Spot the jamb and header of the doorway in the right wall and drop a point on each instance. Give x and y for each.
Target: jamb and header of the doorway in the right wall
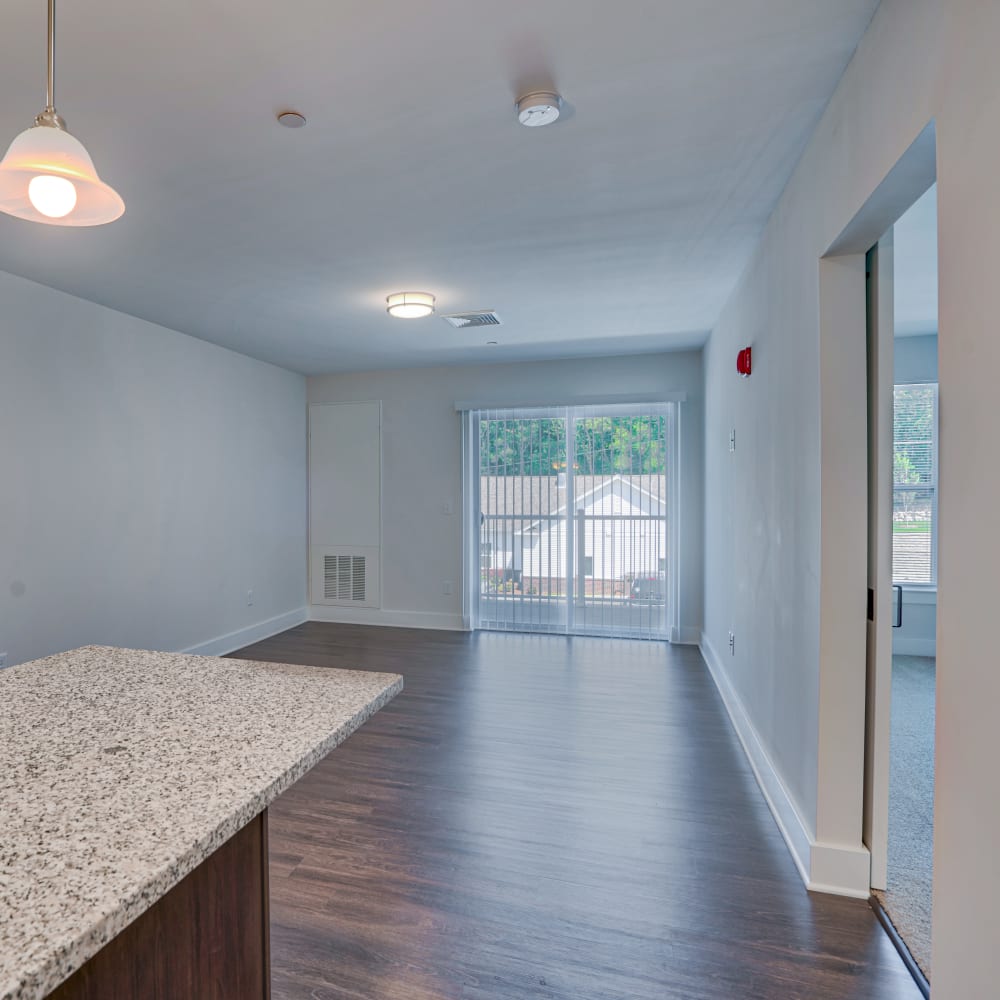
(839, 860)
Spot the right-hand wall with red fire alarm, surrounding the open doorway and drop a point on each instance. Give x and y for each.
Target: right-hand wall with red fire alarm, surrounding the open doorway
(920, 60)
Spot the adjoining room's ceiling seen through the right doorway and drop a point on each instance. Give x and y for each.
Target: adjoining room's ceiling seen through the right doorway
(915, 268)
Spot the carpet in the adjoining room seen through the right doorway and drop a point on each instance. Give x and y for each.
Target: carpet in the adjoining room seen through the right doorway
(907, 900)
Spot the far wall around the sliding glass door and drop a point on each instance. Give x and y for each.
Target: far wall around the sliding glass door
(422, 464)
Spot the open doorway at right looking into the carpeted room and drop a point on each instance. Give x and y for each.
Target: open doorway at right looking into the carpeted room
(903, 888)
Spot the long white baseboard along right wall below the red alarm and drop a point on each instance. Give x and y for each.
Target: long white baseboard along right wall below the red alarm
(793, 828)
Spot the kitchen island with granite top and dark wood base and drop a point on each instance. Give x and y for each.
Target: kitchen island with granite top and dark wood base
(133, 828)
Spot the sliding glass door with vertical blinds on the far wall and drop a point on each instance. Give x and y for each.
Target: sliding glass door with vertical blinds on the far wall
(568, 531)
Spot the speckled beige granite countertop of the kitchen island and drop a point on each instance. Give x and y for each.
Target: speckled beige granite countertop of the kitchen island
(122, 770)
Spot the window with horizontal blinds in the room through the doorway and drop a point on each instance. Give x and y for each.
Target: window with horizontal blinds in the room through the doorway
(914, 484)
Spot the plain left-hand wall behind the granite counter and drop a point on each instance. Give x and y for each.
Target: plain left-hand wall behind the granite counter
(149, 480)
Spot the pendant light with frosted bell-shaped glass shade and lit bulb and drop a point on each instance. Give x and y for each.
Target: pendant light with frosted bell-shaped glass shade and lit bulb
(48, 176)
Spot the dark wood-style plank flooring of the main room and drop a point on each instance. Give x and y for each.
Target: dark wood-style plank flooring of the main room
(545, 817)
